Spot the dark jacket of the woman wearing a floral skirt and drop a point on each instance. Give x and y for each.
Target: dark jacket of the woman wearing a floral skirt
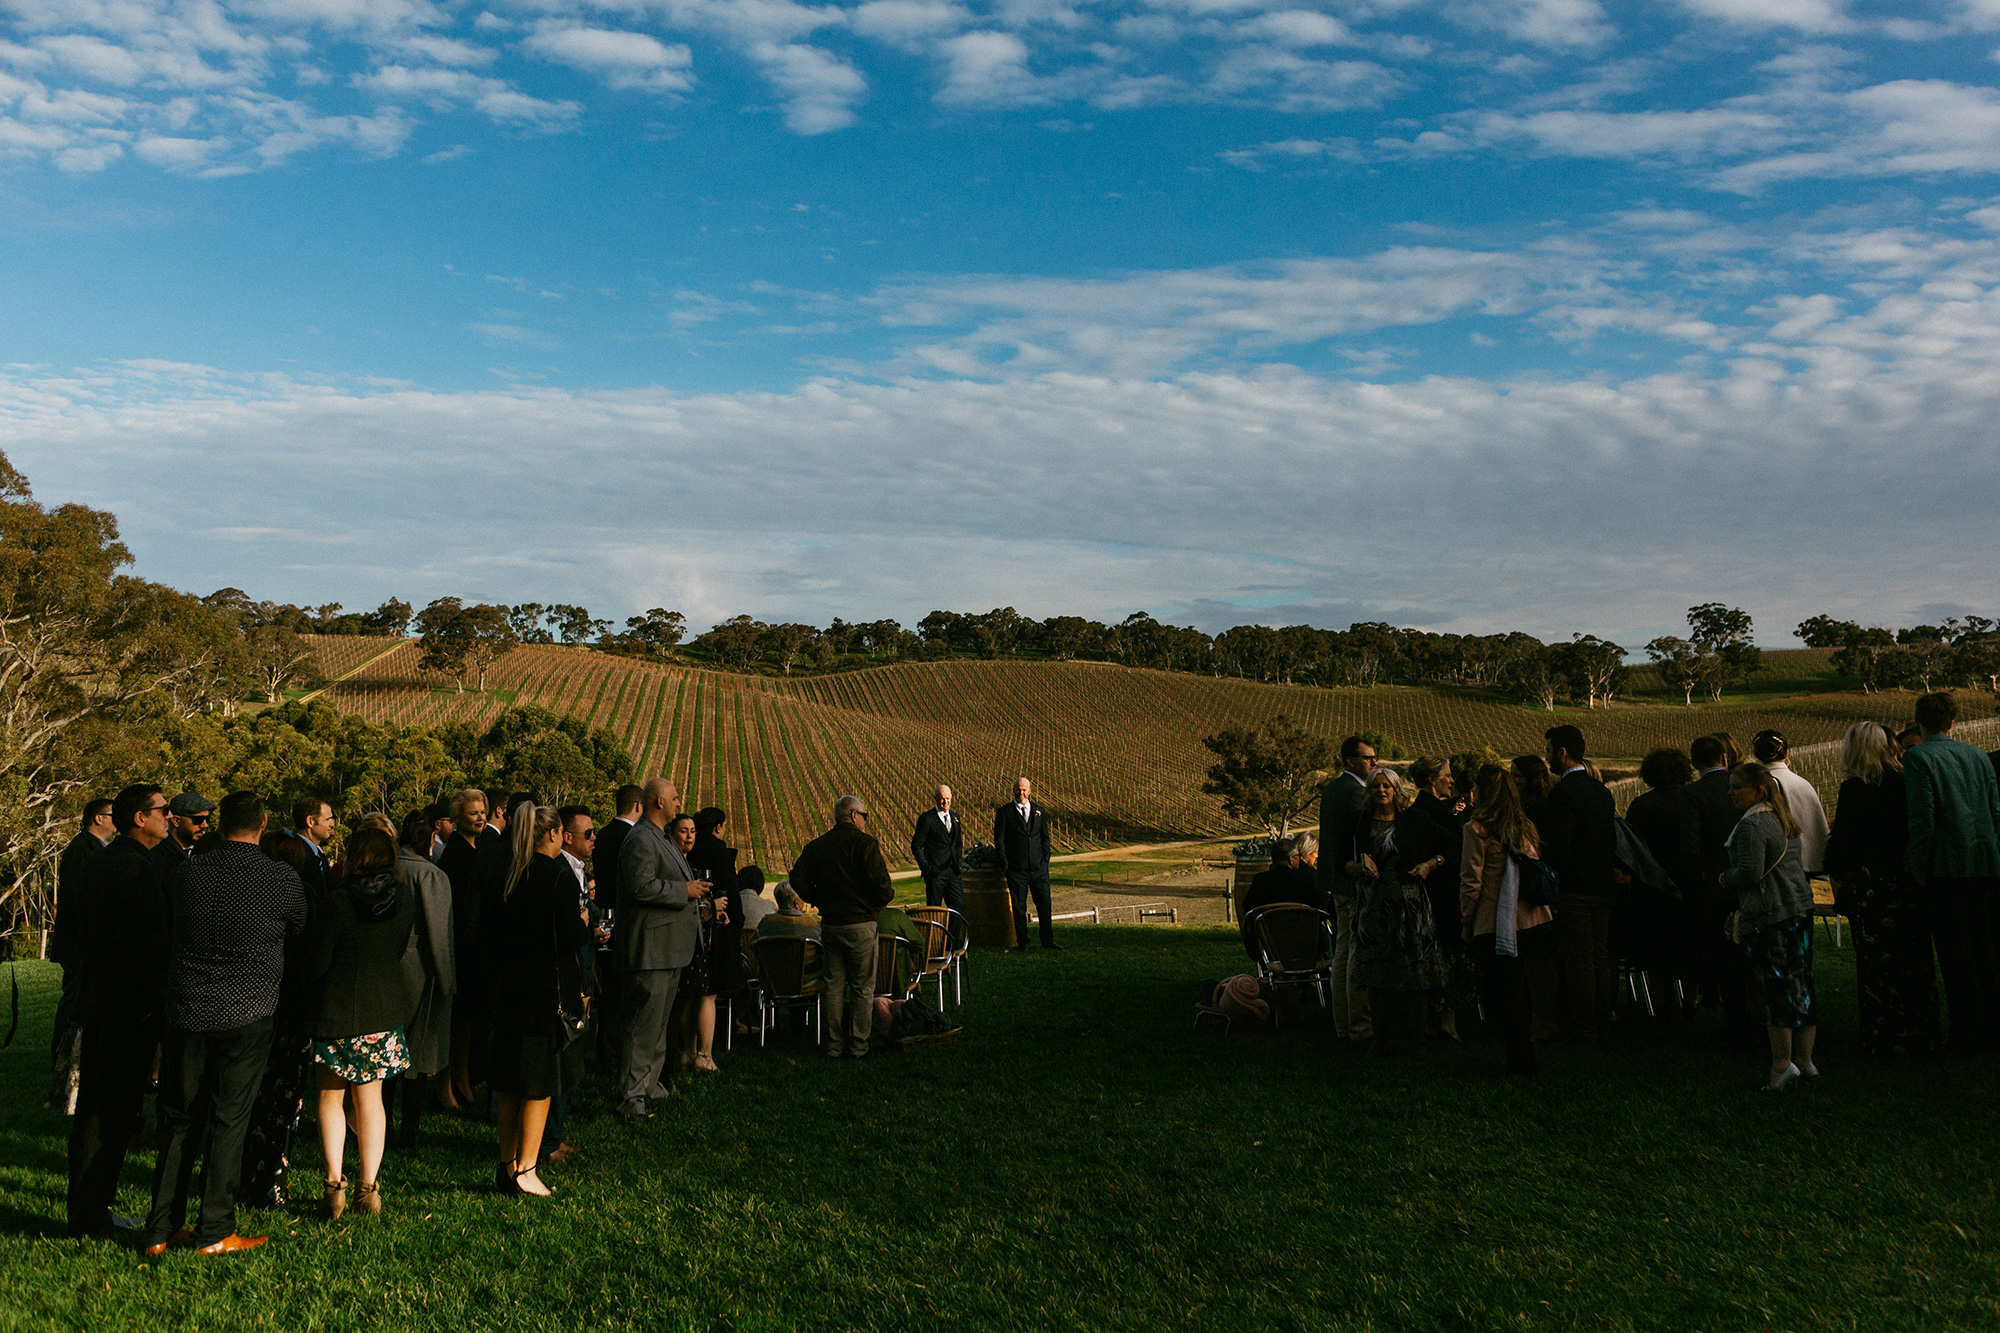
(371, 972)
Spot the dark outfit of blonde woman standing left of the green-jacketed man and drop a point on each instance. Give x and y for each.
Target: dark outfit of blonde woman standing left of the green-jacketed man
(1893, 962)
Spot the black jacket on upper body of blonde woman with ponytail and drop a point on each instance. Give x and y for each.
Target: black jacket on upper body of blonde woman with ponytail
(539, 938)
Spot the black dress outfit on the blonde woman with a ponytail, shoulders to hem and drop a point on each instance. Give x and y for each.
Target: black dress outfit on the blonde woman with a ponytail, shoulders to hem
(537, 936)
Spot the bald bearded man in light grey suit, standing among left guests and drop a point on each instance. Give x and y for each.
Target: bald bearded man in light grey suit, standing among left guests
(653, 940)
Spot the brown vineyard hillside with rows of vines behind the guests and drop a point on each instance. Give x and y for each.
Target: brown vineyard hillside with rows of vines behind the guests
(1117, 754)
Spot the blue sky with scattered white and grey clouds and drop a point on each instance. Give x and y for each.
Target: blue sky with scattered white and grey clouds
(1541, 313)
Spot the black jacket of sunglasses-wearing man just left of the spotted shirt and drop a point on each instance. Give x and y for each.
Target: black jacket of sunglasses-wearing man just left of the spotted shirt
(127, 938)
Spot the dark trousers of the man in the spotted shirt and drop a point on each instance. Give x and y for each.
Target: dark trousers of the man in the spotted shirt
(209, 1084)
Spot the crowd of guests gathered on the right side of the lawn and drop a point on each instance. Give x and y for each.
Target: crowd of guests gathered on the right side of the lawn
(1523, 890)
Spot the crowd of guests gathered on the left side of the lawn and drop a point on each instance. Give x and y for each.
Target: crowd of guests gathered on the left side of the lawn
(241, 972)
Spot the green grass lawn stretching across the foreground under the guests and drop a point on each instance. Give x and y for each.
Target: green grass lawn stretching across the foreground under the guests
(1081, 1160)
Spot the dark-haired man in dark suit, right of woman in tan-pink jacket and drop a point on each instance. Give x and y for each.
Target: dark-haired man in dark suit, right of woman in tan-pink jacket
(1581, 842)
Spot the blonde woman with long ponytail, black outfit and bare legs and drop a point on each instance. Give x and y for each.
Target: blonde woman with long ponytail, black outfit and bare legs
(537, 996)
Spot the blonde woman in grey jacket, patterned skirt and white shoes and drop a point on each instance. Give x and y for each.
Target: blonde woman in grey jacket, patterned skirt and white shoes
(1773, 922)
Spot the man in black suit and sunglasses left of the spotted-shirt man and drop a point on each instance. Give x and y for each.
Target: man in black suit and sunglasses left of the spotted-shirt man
(123, 946)
